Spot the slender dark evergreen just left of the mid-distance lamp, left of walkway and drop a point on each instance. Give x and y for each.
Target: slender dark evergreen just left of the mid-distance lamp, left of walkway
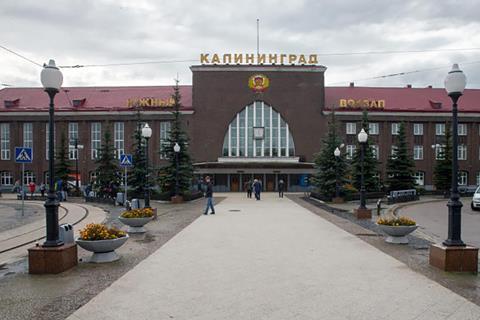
(136, 177)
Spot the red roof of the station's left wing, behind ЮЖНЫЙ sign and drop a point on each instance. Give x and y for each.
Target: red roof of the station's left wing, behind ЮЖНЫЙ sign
(96, 98)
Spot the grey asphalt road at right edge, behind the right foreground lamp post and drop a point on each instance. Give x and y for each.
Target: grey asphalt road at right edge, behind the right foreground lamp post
(432, 218)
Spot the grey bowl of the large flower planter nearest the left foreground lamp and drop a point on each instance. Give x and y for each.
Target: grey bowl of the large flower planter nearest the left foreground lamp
(103, 250)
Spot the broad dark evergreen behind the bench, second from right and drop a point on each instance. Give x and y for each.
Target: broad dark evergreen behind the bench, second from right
(400, 166)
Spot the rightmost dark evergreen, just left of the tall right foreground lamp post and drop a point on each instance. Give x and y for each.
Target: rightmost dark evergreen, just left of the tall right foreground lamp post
(442, 174)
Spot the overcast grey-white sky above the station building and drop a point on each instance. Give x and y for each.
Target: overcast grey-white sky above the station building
(115, 31)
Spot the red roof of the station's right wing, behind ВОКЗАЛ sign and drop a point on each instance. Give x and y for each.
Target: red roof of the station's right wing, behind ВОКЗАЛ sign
(400, 99)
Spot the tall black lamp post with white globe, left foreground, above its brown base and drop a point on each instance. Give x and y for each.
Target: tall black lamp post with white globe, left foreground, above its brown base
(51, 79)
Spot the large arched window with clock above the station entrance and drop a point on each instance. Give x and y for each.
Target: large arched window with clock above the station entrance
(258, 131)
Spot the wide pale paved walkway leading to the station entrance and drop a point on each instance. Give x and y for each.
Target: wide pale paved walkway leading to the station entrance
(272, 260)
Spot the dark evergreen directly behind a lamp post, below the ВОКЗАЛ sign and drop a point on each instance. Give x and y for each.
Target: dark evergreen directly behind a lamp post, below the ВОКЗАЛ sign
(370, 163)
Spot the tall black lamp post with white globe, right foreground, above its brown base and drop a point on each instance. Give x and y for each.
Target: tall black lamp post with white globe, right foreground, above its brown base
(455, 83)
